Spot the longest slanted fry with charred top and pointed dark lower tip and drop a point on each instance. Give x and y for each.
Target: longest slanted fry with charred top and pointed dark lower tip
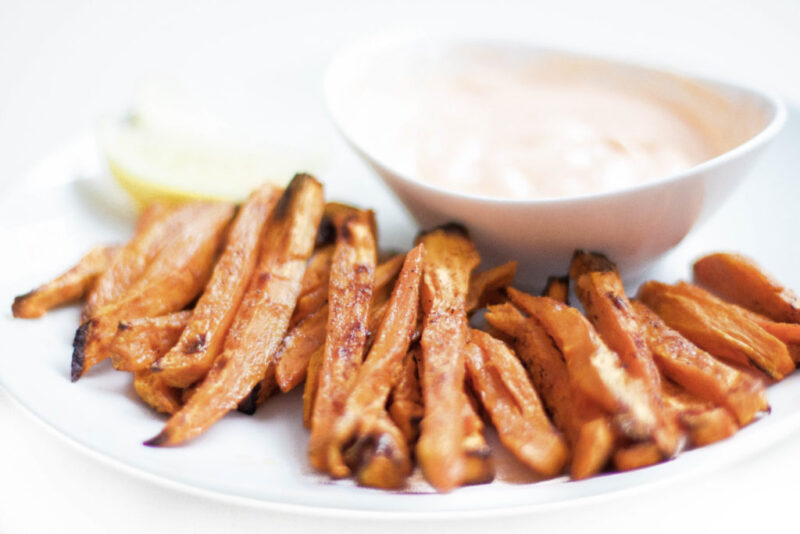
(263, 316)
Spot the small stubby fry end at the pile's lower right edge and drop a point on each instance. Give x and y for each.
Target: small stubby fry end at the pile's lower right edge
(704, 422)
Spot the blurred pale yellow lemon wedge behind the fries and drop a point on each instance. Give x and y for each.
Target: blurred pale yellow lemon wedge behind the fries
(164, 155)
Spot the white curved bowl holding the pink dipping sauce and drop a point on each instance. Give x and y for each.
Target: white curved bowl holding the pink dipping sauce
(633, 226)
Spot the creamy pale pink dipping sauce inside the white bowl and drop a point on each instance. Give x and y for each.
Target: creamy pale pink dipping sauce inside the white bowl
(482, 124)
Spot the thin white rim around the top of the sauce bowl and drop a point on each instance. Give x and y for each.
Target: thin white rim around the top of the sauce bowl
(372, 44)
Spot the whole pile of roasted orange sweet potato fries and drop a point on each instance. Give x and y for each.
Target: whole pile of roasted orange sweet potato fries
(214, 307)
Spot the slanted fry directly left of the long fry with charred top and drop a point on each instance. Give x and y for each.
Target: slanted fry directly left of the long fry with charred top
(201, 342)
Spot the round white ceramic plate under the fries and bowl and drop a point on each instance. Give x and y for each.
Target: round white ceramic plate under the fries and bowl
(55, 215)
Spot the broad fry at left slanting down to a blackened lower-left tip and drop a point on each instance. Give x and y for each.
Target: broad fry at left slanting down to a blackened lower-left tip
(175, 277)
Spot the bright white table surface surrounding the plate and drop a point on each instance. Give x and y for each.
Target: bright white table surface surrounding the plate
(64, 64)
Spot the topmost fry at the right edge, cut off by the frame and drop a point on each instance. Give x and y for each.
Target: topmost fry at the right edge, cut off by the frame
(738, 279)
